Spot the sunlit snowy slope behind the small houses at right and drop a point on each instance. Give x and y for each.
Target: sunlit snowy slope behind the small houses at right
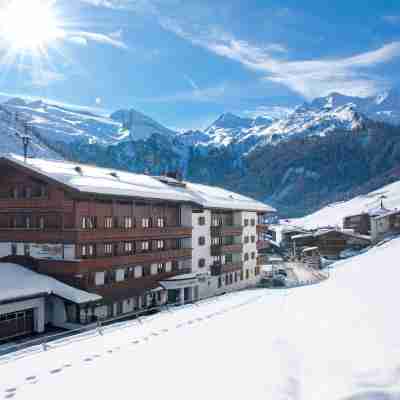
(333, 214)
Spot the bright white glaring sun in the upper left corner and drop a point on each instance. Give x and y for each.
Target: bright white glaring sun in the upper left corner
(28, 25)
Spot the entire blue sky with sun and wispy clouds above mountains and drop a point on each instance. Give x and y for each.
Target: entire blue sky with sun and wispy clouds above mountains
(184, 62)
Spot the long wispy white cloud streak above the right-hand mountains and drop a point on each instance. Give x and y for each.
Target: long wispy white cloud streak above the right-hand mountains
(310, 78)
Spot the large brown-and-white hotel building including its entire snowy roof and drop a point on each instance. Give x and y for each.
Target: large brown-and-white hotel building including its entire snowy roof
(136, 241)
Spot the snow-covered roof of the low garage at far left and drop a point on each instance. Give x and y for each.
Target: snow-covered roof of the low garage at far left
(18, 282)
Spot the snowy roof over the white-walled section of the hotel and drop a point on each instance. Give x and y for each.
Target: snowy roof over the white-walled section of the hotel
(218, 198)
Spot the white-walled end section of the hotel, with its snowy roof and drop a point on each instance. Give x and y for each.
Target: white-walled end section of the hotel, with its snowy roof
(228, 238)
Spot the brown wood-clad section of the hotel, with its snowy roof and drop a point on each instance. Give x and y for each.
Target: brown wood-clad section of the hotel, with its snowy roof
(111, 233)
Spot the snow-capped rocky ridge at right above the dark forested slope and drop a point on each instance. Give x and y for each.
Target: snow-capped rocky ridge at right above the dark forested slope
(320, 117)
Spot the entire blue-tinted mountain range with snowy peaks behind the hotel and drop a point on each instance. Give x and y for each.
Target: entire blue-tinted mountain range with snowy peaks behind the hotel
(319, 152)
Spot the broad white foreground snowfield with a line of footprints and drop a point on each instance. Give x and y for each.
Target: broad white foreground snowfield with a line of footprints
(336, 340)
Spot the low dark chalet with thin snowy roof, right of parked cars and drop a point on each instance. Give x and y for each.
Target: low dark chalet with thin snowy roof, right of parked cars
(330, 242)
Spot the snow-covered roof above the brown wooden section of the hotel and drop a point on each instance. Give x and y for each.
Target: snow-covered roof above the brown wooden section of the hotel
(92, 179)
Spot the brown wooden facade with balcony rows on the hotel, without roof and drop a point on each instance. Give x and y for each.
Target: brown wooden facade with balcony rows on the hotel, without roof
(106, 234)
